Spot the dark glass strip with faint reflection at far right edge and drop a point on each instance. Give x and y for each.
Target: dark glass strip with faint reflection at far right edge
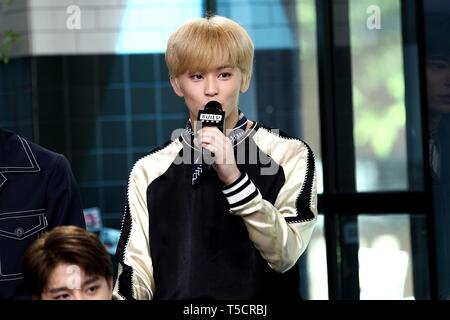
(437, 30)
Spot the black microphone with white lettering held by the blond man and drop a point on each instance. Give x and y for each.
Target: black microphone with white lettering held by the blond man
(212, 116)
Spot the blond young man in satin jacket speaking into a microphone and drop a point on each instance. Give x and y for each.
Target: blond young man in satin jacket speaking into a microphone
(230, 231)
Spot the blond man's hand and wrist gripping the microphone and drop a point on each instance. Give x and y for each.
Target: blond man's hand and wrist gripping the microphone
(211, 139)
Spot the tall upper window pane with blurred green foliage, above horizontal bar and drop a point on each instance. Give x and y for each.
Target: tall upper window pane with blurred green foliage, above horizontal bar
(378, 95)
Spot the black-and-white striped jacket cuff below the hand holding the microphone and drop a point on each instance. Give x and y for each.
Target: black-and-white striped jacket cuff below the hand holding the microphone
(241, 191)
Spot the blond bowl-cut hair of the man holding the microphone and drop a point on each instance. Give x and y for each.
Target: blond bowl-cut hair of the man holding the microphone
(205, 43)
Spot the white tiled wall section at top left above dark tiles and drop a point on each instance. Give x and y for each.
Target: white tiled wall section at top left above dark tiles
(105, 26)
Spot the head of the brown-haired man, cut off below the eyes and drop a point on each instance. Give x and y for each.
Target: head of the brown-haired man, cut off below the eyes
(68, 263)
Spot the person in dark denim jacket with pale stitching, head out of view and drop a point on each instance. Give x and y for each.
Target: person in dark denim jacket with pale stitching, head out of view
(37, 192)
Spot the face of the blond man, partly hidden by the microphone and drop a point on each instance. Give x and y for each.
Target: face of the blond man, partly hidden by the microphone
(222, 84)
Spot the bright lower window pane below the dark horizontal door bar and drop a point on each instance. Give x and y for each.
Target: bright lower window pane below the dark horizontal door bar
(385, 257)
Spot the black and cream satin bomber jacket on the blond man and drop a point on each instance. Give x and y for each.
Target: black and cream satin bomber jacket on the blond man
(210, 241)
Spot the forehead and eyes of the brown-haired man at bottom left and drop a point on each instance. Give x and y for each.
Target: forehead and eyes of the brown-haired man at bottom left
(69, 282)
